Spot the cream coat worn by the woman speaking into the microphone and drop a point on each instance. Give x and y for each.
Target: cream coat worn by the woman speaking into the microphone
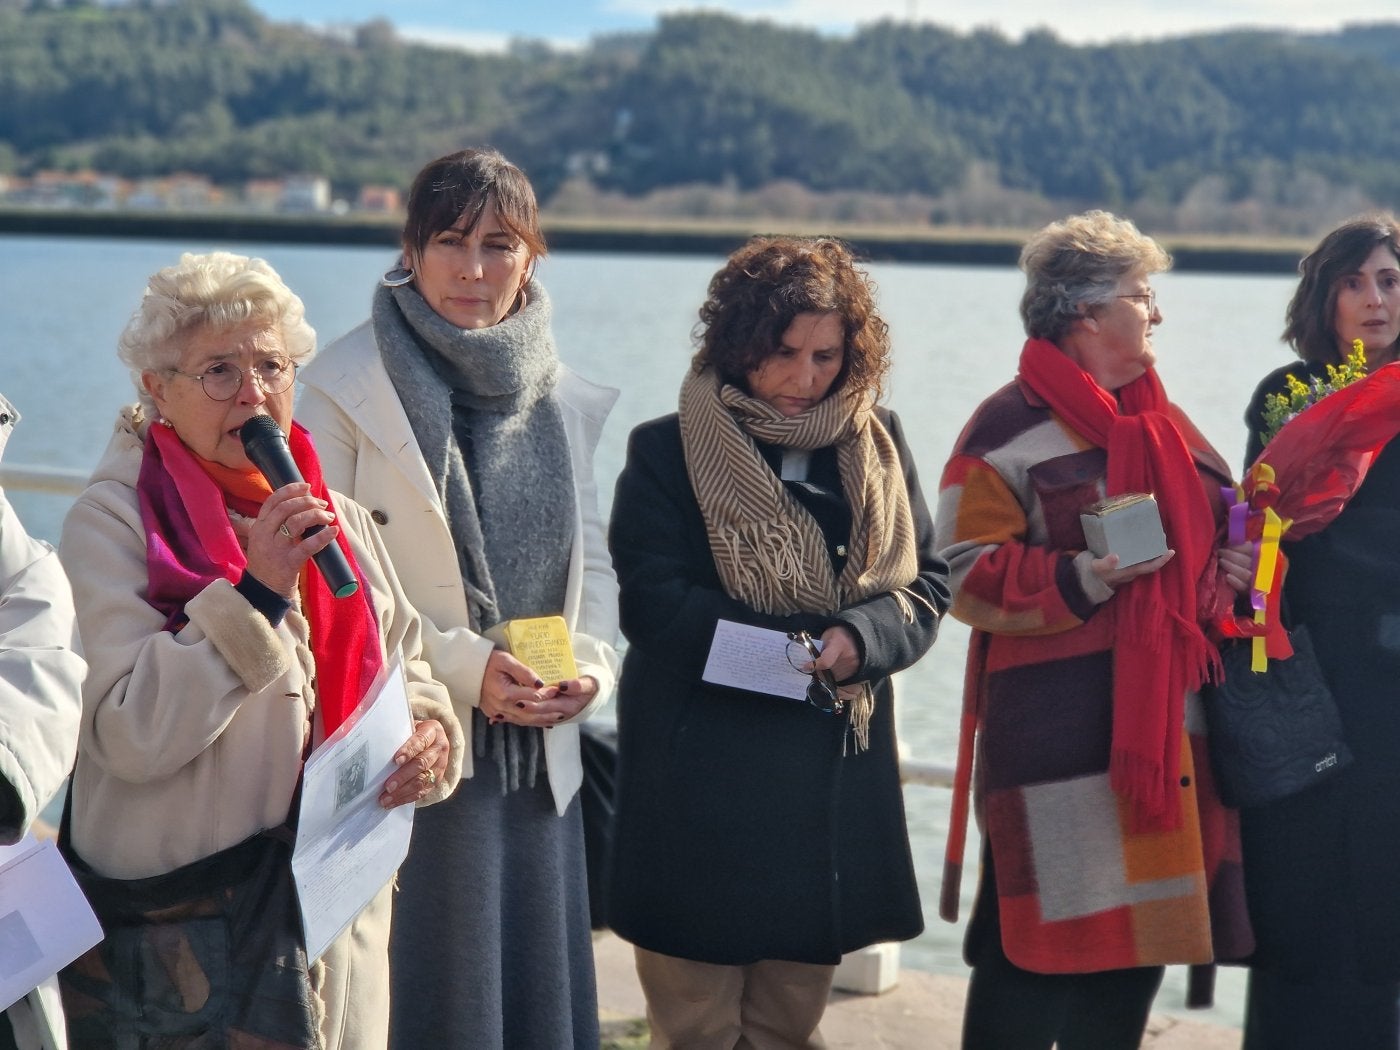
(192, 741)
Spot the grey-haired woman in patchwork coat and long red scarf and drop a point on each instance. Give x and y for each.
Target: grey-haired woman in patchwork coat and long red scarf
(1108, 852)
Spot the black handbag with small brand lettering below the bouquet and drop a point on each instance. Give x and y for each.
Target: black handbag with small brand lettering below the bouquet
(1275, 733)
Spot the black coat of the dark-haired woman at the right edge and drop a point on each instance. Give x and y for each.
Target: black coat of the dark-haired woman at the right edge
(1322, 867)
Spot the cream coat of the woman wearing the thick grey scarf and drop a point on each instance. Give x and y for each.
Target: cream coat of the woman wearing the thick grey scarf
(367, 450)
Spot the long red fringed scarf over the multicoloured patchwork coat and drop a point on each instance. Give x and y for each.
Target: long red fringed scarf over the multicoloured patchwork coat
(1160, 652)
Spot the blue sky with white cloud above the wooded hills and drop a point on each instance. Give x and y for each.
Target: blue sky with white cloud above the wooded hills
(489, 26)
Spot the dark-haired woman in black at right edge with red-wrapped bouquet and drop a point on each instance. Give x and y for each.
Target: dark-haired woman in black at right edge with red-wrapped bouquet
(1322, 866)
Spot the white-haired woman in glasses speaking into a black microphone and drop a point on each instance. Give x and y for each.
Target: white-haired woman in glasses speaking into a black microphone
(218, 661)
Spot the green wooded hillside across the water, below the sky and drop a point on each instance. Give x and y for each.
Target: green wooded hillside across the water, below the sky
(212, 87)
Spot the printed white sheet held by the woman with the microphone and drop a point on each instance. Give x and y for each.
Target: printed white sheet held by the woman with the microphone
(348, 845)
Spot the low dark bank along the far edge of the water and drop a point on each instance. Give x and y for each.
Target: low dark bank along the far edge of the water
(961, 247)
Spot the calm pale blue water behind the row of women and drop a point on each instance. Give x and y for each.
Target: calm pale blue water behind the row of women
(626, 321)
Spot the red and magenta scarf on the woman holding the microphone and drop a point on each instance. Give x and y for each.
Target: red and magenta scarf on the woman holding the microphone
(190, 544)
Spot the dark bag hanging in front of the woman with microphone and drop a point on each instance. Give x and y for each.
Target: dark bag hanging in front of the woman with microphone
(208, 955)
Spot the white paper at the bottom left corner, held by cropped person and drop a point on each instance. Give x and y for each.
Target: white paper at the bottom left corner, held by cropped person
(45, 922)
